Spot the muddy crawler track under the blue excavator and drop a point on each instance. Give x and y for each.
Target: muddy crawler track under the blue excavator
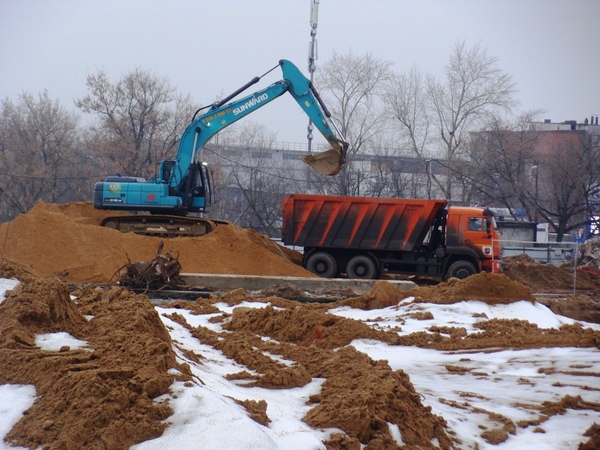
(165, 226)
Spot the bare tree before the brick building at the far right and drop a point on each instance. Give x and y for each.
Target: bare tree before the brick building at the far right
(555, 178)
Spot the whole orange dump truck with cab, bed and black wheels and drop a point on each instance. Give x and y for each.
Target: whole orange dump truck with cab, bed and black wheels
(362, 237)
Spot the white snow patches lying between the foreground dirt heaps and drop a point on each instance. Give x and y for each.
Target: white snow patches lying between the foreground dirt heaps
(503, 382)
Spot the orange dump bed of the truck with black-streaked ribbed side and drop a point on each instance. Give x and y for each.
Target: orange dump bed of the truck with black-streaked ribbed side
(357, 222)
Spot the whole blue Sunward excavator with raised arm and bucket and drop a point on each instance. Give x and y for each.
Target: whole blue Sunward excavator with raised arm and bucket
(183, 185)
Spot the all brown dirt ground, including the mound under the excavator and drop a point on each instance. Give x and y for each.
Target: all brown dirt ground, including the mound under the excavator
(68, 266)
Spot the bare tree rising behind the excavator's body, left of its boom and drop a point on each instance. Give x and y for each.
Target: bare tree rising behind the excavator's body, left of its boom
(141, 119)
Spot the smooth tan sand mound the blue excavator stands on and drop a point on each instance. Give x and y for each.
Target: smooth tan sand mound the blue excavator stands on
(67, 241)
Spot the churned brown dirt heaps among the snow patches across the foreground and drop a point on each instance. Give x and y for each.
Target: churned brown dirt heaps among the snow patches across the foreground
(101, 396)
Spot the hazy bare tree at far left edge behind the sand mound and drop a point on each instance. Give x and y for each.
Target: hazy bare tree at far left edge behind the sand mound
(39, 155)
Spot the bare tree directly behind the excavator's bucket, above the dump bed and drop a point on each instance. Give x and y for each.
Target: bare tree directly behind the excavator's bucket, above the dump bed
(351, 86)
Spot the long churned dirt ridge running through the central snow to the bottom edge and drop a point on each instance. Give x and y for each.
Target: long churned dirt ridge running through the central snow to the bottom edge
(360, 396)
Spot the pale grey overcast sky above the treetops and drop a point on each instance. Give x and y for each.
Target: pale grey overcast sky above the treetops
(210, 48)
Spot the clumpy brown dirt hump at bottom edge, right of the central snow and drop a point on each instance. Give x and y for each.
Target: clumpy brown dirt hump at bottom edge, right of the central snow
(386, 396)
